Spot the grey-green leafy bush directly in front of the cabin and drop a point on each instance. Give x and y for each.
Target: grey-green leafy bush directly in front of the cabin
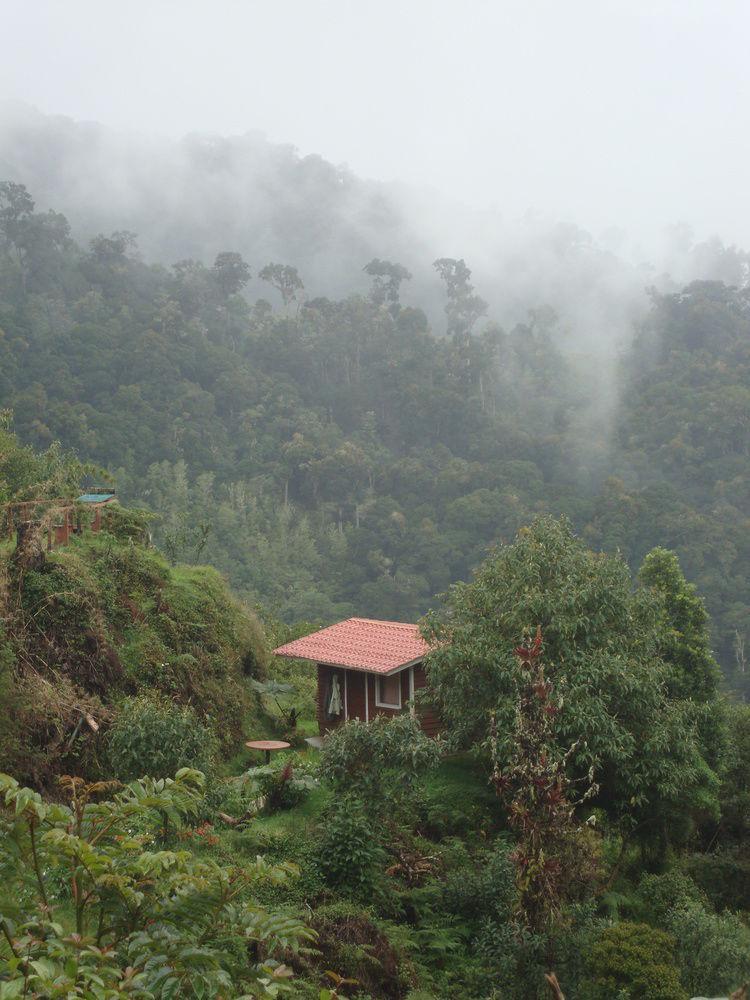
(378, 761)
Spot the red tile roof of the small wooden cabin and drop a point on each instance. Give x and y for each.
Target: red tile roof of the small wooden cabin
(360, 644)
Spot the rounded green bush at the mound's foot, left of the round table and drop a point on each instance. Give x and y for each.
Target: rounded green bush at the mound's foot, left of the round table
(150, 735)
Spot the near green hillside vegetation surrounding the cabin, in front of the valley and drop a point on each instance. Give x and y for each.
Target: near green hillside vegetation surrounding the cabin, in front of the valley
(581, 819)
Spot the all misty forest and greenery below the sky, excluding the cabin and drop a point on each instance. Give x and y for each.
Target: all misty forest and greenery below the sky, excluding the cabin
(296, 397)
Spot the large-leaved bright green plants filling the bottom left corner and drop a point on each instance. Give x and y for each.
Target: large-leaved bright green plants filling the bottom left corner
(133, 916)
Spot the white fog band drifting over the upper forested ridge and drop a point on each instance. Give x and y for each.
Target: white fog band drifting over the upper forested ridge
(197, 196)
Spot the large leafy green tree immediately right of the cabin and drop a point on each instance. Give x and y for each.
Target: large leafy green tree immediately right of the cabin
(601, 642)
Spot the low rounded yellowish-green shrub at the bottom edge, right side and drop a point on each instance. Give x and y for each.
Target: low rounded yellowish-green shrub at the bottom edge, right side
(633, 962)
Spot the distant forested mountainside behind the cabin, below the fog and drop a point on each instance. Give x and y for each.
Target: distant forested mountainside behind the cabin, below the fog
(340, 456)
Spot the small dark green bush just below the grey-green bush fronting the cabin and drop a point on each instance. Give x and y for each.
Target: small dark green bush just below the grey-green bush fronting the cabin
(351, 859)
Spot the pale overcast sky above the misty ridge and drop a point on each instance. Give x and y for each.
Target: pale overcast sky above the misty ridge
(628, 113)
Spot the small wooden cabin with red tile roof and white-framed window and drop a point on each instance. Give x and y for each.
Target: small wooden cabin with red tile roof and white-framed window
(365, 668)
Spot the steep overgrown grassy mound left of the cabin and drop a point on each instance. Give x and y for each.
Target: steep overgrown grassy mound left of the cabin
(94, 623)
